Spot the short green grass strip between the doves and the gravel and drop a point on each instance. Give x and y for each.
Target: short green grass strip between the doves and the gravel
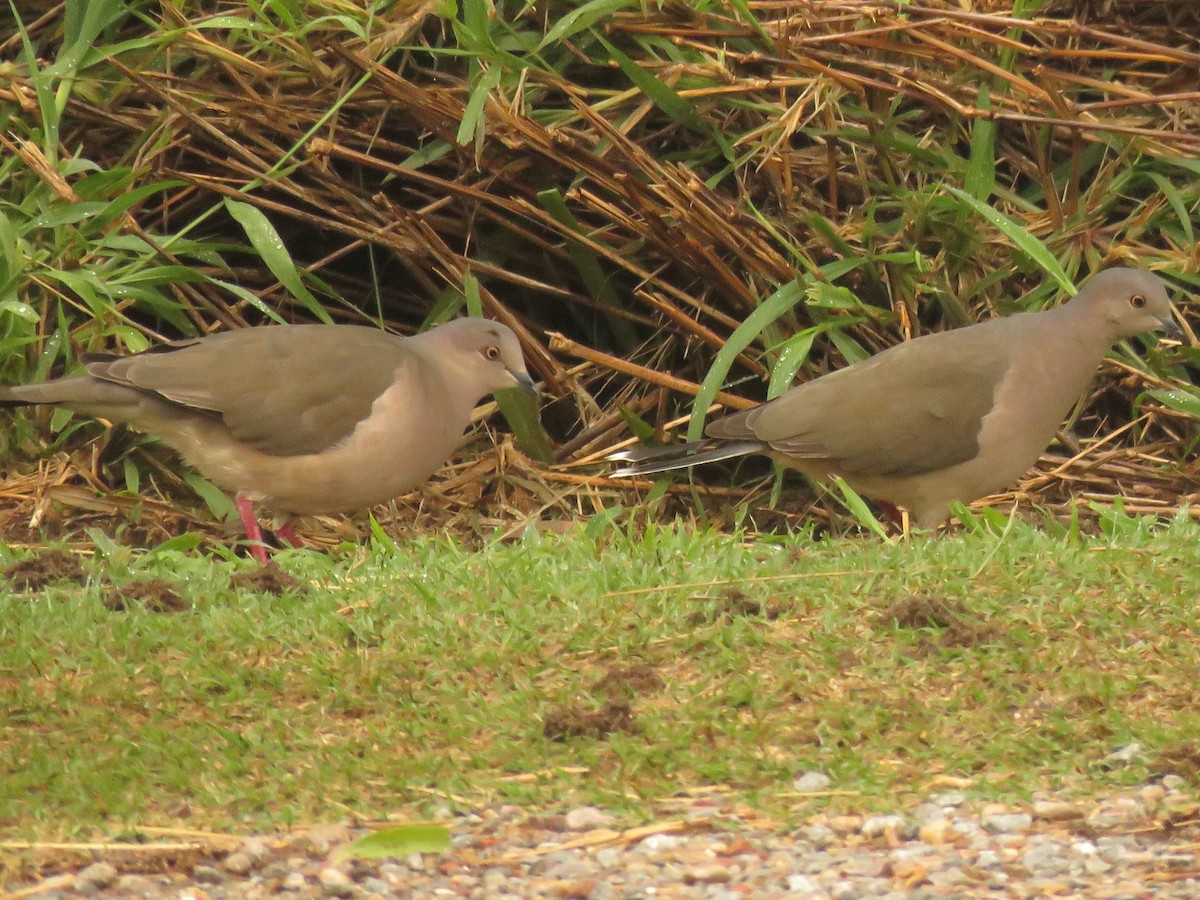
(404, 680)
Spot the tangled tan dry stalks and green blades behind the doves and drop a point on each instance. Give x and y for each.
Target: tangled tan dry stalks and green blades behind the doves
(628, 187)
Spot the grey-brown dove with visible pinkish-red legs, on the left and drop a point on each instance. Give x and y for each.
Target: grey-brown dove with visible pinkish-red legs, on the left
(304, 419)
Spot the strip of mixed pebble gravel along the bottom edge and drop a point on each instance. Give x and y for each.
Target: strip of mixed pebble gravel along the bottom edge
(1136, 845)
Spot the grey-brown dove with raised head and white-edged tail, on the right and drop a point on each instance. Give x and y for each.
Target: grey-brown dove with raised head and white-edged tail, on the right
(949, 417)
